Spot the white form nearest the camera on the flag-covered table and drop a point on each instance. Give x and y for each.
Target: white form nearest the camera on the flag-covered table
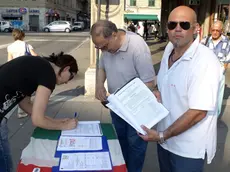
(85, 161)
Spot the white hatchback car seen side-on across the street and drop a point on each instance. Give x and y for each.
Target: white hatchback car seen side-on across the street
(58, 26)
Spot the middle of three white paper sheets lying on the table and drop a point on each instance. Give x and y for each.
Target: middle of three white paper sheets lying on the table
(68, 143)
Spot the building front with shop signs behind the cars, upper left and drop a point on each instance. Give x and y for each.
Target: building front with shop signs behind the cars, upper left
(35, 14)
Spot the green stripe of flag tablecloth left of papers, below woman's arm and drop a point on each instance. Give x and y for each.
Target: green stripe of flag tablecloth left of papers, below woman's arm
(40, 133)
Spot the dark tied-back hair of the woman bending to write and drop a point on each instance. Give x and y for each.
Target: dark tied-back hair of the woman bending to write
(63, 60)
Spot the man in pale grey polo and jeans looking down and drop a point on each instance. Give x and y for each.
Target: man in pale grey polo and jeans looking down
(125, 55)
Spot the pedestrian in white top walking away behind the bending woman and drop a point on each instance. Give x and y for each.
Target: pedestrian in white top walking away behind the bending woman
(17, 49)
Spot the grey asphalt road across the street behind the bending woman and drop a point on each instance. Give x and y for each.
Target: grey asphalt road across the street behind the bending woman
(45, 44)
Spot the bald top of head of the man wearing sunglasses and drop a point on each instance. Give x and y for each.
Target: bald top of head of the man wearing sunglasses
(184, 9)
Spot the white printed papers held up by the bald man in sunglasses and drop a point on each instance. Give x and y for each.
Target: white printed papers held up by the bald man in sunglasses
(138, 105)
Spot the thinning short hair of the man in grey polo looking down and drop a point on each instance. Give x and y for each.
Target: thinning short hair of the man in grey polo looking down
(104, 28)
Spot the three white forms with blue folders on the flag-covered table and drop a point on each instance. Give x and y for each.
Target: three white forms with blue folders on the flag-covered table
(83, 149)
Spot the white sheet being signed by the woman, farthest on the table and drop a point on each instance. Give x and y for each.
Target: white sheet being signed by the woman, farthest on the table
(85, 128)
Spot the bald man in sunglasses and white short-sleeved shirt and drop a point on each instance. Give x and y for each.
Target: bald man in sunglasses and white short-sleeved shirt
(188, 86)
